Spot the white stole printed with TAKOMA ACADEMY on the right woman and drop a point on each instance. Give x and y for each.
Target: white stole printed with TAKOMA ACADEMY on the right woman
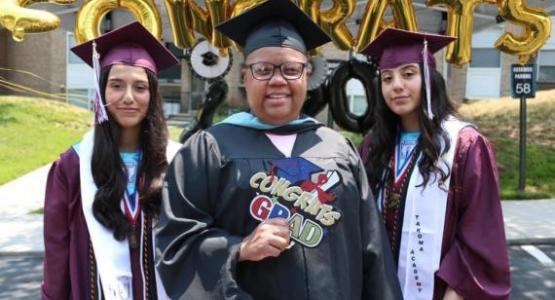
(423, 223)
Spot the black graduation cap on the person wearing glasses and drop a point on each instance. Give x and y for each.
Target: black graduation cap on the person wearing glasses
(274, 23)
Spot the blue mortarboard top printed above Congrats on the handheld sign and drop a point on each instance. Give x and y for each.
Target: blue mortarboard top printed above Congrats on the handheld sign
(295, 169)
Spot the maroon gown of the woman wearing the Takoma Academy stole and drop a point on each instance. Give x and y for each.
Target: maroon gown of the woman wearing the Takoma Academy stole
(474, 259)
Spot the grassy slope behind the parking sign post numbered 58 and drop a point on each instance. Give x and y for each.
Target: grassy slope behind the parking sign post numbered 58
(499, 121)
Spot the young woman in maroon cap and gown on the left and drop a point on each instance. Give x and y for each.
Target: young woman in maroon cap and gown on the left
(103, 194)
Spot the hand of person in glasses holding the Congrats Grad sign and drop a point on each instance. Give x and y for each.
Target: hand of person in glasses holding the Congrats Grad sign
(268, 239)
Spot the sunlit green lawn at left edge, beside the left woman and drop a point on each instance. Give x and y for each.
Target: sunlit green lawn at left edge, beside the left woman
(34, 132)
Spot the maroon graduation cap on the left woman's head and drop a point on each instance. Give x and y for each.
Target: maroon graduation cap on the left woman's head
(131, 44)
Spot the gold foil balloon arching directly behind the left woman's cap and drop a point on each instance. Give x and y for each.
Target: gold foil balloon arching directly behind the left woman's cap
(90, 16)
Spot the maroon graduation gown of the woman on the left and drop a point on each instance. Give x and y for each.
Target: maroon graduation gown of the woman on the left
(69, 263)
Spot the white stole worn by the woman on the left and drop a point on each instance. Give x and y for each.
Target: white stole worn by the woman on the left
(113, 258)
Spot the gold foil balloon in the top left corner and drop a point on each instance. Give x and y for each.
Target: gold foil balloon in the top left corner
(20, 20)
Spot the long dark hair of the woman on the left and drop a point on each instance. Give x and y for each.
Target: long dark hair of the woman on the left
(109, 172)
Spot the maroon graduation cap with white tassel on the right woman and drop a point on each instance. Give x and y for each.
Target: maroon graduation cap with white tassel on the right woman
(395, 47)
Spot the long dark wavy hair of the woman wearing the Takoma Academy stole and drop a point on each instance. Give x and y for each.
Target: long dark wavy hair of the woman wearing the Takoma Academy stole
(386, 126)
